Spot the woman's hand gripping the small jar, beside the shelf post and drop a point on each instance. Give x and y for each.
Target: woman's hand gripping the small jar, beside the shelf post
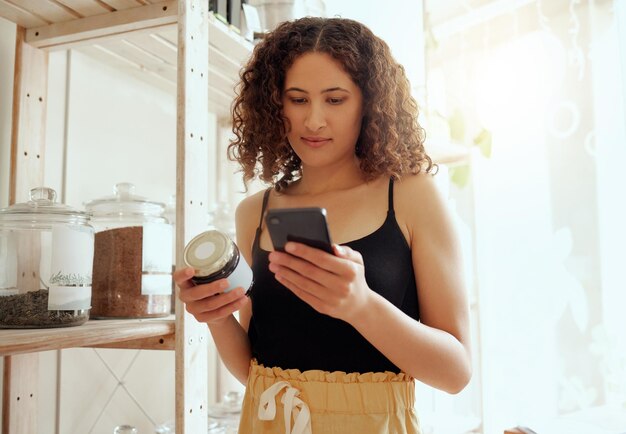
(208, 303)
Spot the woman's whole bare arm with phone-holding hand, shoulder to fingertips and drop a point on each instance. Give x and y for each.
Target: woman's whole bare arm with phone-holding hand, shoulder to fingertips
(436, 350)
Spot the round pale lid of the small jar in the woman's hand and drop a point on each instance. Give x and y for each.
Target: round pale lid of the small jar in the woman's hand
(208, 252)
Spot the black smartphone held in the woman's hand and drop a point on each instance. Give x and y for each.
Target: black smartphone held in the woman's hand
(303, 225)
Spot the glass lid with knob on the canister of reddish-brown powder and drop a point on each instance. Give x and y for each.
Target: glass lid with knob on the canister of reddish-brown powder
(125, 202)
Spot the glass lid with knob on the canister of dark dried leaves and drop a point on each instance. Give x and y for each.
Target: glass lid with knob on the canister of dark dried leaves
(42, 207)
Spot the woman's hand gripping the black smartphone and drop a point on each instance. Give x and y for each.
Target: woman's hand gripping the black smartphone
(332, 284)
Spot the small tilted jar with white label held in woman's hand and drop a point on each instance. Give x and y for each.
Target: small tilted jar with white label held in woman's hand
(215, 256)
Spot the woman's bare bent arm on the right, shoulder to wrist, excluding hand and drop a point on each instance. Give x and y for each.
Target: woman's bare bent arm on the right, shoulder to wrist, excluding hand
(437, 350)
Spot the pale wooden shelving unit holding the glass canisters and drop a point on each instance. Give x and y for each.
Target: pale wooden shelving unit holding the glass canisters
(177, 46)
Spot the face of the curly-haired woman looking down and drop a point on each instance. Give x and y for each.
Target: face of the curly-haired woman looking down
(324, 108)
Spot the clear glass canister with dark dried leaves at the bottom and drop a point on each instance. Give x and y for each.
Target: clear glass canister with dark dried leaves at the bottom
(46, 256)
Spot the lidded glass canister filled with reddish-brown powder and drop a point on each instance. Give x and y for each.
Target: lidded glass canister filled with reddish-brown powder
(132, 271)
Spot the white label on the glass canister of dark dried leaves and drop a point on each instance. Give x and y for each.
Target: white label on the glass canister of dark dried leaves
(71, 267)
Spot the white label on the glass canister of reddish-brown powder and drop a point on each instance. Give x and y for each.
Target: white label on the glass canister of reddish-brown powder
(157, 259)
